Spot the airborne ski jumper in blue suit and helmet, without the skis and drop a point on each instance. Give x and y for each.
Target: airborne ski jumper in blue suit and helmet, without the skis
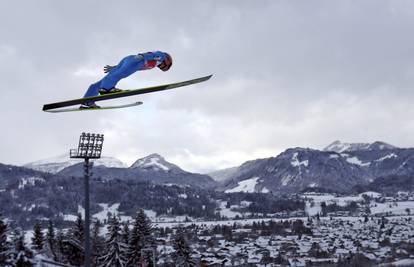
(127, 66)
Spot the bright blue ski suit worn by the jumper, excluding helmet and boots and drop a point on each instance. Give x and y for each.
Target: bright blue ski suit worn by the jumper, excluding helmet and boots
(127, 66)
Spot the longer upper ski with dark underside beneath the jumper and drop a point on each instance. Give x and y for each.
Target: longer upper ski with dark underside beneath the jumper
(125, 93)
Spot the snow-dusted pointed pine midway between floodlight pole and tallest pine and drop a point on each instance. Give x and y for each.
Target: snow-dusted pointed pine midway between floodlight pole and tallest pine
(115, 248)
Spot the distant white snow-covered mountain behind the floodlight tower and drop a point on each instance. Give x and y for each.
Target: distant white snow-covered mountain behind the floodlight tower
(58, 163)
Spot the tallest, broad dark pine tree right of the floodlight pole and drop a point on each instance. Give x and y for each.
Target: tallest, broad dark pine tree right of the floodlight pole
(140, 238)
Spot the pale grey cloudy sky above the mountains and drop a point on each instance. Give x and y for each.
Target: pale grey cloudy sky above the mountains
(286, 74)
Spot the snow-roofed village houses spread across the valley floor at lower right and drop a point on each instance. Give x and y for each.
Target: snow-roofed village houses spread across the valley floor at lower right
(315, 241)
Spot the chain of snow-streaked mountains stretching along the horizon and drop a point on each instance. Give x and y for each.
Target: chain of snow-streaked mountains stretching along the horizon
(338, 167)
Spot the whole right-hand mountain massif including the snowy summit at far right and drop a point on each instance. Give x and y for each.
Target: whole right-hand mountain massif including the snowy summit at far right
(301, 169)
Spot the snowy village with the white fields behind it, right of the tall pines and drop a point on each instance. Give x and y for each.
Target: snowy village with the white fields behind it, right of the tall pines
(344, 232)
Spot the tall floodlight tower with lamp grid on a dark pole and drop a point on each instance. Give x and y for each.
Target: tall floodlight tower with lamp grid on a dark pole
(90, 147)
